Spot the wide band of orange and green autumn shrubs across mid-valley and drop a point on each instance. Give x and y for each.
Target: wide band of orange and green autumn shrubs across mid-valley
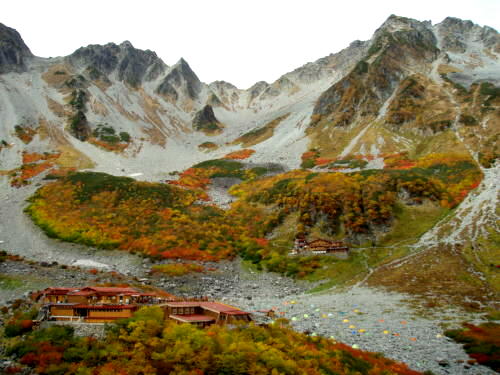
(173, 222)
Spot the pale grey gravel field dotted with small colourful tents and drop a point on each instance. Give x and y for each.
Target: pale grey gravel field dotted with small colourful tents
(371, 320)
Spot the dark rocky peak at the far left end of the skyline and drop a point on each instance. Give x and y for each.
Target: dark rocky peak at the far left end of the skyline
(13, 51)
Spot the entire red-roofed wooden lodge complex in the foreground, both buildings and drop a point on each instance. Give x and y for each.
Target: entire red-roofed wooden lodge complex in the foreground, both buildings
(107, 304)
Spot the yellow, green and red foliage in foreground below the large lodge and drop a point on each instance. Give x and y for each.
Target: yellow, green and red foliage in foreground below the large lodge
(149, 344)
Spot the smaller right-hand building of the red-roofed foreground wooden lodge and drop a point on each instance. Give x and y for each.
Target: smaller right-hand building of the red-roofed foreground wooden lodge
(204, 313)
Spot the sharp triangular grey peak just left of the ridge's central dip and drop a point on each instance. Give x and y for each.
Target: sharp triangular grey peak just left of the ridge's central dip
(181, 81)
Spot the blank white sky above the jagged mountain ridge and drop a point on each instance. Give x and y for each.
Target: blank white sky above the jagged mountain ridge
(238, 41)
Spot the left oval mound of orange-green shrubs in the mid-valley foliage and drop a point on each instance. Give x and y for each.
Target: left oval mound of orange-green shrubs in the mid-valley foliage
(154, 219)
